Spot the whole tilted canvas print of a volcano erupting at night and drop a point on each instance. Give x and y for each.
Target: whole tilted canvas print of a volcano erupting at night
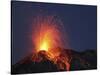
(51, 37)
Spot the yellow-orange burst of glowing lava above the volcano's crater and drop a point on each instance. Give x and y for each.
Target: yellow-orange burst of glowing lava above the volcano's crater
(48, 33)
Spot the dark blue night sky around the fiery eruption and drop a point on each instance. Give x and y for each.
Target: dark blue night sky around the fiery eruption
(80, 21)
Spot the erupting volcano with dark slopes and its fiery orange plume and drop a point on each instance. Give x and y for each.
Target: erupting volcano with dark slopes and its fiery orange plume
(51, 51)
